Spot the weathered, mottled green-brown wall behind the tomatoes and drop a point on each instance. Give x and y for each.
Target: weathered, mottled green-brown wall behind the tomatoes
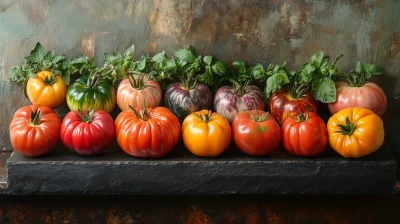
(250, 30)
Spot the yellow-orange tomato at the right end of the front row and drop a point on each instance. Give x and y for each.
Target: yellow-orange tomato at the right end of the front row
(355, 132)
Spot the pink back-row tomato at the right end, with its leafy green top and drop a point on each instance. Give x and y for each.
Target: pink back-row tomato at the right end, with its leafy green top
(354, 90)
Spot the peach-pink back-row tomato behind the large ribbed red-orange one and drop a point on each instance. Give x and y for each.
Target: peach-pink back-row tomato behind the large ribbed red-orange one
(133, 90)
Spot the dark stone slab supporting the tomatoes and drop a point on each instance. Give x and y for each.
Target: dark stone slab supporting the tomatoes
(180, 172)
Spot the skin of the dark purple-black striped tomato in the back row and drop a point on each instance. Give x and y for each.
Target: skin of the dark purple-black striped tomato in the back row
(183, 102)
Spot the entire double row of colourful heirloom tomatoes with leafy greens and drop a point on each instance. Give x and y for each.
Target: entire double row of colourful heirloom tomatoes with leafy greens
(151, 123)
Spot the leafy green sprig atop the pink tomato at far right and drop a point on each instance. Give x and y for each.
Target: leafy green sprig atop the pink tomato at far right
(361, 74)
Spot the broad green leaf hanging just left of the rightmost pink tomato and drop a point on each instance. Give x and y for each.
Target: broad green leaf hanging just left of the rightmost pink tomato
(324, 90)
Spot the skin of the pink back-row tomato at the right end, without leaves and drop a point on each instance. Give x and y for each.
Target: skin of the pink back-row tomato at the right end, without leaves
(369, 96)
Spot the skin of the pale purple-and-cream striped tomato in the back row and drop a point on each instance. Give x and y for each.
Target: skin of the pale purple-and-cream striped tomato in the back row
(228, 104)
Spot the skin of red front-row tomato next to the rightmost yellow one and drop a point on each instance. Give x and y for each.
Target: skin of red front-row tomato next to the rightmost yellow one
(307, 138)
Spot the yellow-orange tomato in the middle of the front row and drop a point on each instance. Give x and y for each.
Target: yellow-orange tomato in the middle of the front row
(206, 133)
